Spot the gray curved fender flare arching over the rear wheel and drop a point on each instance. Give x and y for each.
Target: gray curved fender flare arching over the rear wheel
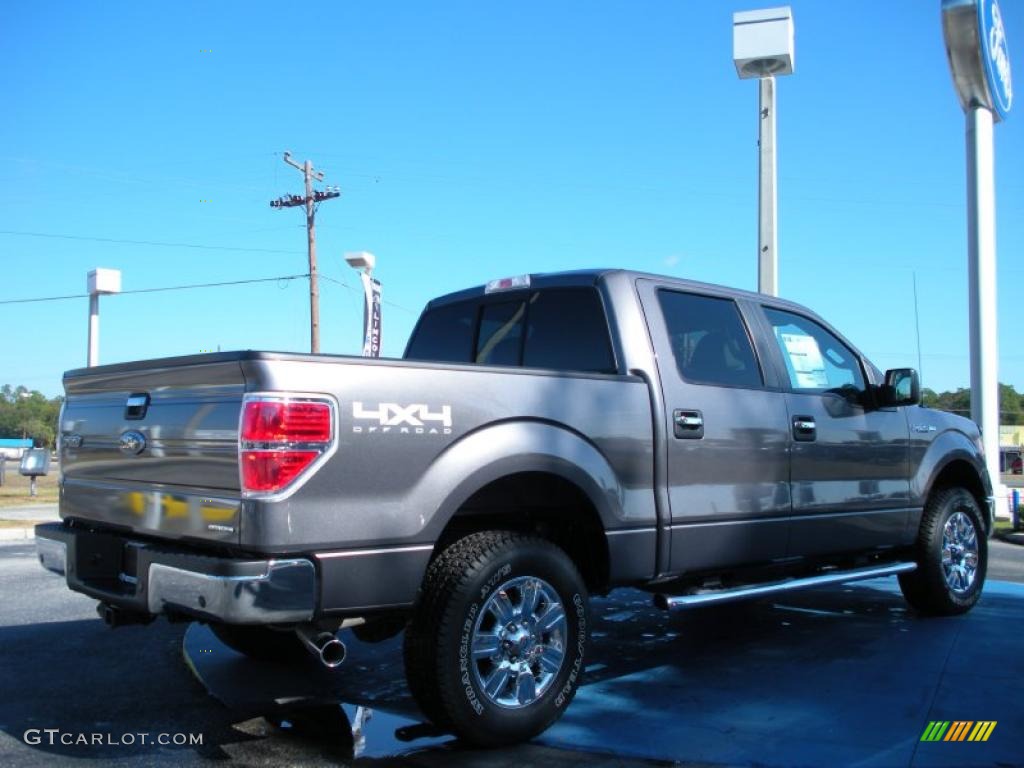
(510, 448)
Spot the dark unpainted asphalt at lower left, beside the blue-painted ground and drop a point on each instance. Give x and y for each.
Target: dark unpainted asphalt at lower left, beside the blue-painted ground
(62, 668)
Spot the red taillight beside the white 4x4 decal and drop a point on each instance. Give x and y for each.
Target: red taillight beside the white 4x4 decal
(281, 439)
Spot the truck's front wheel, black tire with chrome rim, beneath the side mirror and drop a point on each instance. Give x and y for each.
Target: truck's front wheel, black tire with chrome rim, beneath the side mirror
(953, 557)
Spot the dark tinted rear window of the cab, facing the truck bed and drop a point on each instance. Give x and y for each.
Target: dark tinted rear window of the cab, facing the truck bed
(564, 329)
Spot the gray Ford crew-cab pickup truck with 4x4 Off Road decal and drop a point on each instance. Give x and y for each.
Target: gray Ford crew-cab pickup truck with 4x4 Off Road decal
(544, 439)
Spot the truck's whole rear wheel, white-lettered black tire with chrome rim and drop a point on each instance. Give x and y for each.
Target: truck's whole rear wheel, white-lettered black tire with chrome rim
(495, 651)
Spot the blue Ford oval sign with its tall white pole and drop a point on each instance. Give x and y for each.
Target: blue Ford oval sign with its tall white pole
(979, 60)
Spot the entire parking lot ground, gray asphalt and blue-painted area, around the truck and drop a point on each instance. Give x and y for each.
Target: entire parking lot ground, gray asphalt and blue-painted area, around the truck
(835, 676)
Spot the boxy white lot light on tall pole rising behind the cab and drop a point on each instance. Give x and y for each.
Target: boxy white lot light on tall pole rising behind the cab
(763, 49)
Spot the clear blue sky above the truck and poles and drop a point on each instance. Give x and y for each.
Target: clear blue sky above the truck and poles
(474, 141)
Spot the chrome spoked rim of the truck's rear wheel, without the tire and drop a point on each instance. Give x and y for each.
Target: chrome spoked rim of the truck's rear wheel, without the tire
(520, 643)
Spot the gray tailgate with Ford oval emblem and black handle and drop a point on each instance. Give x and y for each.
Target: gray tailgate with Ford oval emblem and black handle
(153, 447)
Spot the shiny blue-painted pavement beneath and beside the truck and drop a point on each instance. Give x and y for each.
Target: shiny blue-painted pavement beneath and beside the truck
(834, 676)
